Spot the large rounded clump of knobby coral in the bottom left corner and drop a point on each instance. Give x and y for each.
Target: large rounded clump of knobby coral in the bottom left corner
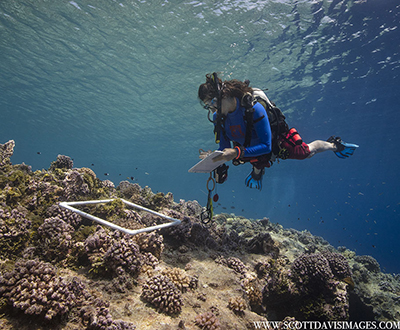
(34, 287)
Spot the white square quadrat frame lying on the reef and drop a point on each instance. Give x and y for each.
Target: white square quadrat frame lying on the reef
(69, 206)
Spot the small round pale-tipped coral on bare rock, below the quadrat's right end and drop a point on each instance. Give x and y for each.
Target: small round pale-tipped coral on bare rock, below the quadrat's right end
(163, 294)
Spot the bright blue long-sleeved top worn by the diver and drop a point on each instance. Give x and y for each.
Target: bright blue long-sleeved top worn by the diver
(235, 130)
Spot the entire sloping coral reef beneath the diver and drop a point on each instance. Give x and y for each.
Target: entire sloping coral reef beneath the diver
(58, 270)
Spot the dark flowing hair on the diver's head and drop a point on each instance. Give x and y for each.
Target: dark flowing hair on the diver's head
(230, 88)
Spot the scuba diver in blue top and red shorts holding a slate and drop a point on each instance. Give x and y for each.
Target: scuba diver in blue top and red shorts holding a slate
(249, 128)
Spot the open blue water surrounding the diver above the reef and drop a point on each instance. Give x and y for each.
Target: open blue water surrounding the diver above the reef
(113, 84)
